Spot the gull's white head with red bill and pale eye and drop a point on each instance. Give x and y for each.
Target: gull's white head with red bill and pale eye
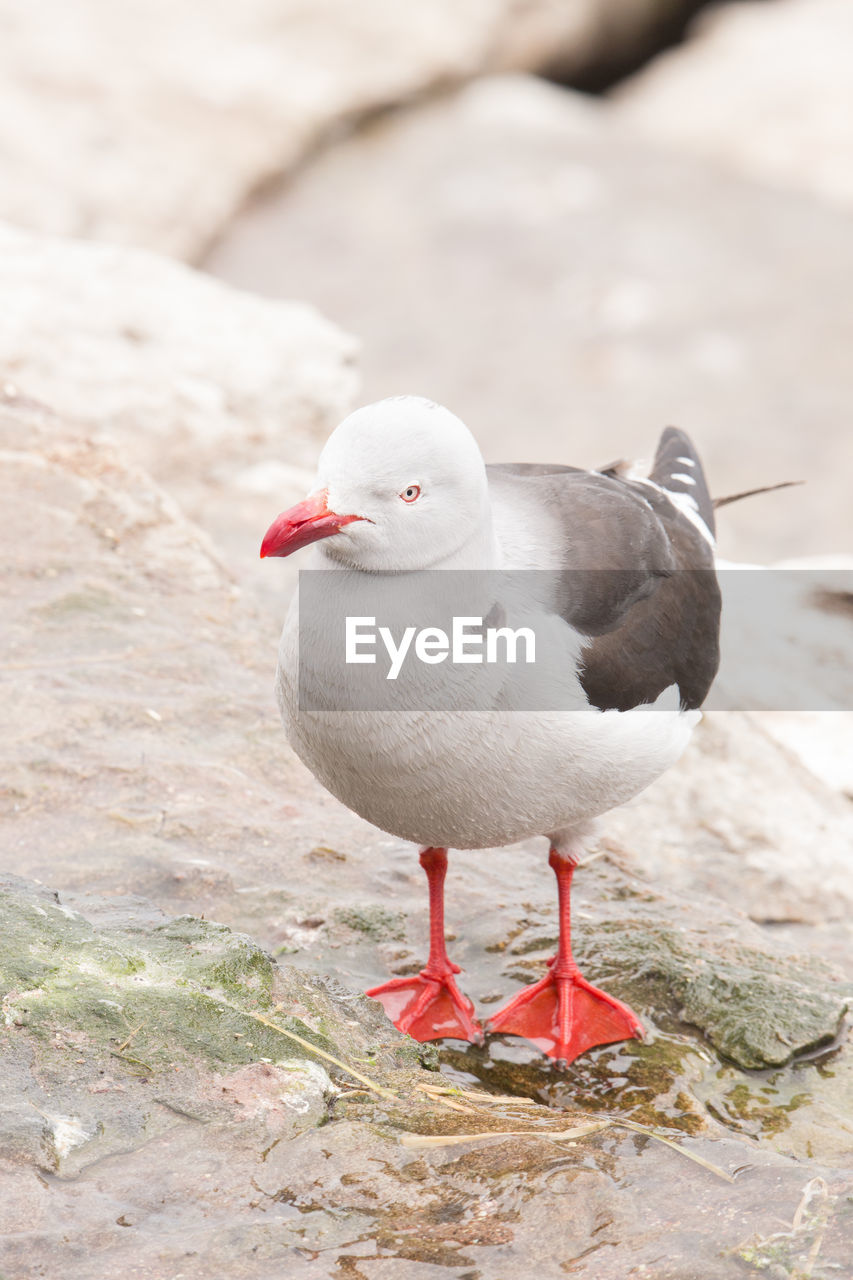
(402, 486)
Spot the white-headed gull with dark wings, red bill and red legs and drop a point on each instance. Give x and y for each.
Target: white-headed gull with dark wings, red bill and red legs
(633, 610)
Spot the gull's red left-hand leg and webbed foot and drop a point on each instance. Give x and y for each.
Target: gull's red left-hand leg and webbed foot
(430, 1005)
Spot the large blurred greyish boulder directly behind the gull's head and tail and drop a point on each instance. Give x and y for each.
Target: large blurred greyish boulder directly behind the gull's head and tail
(560, 285)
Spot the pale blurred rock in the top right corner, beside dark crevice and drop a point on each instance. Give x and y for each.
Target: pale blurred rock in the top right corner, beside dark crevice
(763, 90)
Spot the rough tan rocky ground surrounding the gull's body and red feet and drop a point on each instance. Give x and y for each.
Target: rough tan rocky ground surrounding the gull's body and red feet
(143, 757)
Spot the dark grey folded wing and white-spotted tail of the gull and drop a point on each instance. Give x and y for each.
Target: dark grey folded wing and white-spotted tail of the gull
(640, 577)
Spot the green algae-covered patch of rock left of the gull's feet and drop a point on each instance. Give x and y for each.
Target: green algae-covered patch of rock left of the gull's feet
(189, 986)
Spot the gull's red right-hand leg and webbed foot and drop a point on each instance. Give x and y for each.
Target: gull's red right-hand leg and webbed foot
(564, 1014)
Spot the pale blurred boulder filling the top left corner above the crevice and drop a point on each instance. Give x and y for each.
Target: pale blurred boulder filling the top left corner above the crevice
(150, 125)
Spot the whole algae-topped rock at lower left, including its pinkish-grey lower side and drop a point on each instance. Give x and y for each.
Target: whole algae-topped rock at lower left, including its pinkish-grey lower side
(95, 1016)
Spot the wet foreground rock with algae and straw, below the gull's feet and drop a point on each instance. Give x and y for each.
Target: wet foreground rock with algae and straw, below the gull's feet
(140, 1124)
